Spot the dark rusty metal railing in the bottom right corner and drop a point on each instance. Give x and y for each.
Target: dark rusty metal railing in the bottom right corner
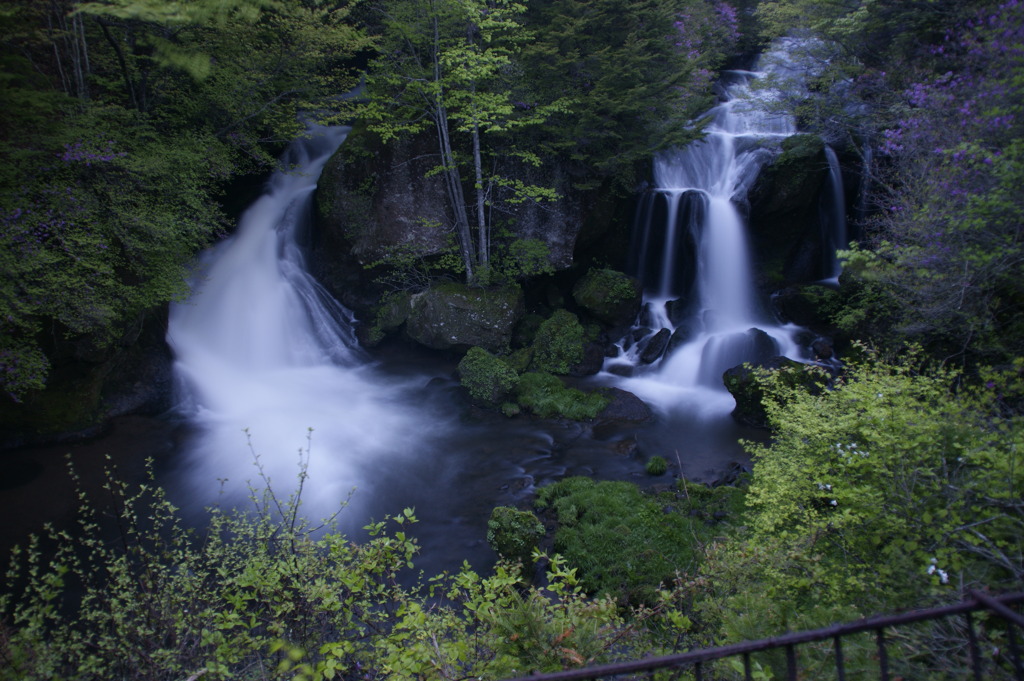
(695, 664)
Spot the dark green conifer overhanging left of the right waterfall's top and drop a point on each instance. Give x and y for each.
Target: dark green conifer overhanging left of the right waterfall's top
(635, 71)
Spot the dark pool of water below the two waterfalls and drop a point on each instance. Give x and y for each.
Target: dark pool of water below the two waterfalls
(481, 460)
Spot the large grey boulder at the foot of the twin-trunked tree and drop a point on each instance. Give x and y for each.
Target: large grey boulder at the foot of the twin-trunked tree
(455, 316)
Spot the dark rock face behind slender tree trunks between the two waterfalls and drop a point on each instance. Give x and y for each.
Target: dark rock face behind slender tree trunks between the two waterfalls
(376, 201)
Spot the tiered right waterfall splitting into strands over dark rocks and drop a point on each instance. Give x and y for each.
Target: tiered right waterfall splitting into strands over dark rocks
(691, 249)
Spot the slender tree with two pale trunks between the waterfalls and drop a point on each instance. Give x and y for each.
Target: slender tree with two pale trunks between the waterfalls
(446, 66)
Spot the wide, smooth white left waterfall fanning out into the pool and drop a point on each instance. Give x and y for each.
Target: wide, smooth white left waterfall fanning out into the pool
(260, 346)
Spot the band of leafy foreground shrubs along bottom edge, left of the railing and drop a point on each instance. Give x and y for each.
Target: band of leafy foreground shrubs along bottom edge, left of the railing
(262, 589)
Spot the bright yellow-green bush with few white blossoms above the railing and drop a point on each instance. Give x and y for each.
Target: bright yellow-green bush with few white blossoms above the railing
(899, 487)
